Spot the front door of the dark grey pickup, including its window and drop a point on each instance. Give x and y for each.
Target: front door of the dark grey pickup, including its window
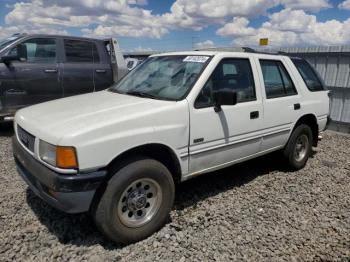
(33, 79)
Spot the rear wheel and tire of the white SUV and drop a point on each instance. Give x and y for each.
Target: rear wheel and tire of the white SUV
(299, 147)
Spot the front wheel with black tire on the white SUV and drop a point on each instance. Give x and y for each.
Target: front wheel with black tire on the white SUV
(136, 202)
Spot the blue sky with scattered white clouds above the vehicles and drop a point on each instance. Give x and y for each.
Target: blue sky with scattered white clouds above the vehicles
(161, 25)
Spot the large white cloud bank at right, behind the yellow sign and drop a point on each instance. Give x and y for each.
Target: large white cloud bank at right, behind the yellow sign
(288, 28)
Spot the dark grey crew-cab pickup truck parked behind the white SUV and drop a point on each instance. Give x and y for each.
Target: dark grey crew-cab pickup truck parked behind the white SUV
(39, 68)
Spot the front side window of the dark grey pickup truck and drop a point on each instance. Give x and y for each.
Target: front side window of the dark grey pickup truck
(36, 50)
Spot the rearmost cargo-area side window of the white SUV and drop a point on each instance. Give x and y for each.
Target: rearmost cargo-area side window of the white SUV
(309, 75)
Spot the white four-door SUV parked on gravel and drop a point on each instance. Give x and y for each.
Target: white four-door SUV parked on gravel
(118, 153)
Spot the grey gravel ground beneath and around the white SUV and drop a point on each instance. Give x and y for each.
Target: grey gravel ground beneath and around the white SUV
(255, 211)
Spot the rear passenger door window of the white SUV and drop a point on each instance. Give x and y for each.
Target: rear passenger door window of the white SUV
(277, 80)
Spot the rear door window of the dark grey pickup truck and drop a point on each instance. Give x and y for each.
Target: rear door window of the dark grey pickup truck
(78, 51)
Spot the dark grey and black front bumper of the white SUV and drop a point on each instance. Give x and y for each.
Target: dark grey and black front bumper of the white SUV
(69, 193)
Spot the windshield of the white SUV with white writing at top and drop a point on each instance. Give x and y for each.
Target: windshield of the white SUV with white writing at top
(163, 77)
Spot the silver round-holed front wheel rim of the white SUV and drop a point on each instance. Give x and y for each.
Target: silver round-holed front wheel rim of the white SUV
(139, 202)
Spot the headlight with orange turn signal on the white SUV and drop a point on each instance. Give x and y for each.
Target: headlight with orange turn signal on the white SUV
(59, 156)
